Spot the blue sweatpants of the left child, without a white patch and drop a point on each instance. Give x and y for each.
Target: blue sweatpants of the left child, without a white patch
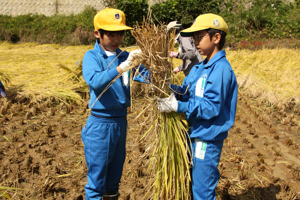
(104, 149)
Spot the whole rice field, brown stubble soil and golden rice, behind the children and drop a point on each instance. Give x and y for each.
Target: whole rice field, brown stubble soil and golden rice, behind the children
(41, 152)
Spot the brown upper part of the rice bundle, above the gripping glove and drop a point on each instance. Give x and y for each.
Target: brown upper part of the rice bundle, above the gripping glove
(154, 44)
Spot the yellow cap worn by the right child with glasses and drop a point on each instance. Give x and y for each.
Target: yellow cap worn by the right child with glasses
(206, 21)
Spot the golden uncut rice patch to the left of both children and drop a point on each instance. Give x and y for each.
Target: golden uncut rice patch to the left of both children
(36, 71)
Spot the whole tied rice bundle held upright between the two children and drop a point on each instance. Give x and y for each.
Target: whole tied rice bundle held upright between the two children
(170, 162)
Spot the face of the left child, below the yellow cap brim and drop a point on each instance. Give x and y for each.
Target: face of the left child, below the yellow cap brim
(111, 40)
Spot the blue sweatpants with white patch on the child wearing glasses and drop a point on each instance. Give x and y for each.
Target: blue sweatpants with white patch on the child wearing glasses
(205, 173)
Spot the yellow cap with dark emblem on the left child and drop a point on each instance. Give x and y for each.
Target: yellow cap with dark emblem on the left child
(110, 19)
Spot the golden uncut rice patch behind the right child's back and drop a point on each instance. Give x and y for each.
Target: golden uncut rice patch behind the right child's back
(271, 75)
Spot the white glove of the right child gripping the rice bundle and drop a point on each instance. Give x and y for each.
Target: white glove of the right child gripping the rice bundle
(168, 104)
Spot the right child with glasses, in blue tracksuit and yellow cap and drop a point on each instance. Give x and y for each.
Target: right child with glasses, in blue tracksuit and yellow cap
(208, 97)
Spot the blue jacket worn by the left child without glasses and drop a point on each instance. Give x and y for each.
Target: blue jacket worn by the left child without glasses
(99, 70)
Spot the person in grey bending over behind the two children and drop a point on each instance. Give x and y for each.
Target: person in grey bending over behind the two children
(187, 51)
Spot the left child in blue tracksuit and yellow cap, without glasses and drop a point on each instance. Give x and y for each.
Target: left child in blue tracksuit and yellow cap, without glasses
(104, 134)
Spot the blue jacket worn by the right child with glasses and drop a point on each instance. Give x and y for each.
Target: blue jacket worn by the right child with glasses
(208, 97)
